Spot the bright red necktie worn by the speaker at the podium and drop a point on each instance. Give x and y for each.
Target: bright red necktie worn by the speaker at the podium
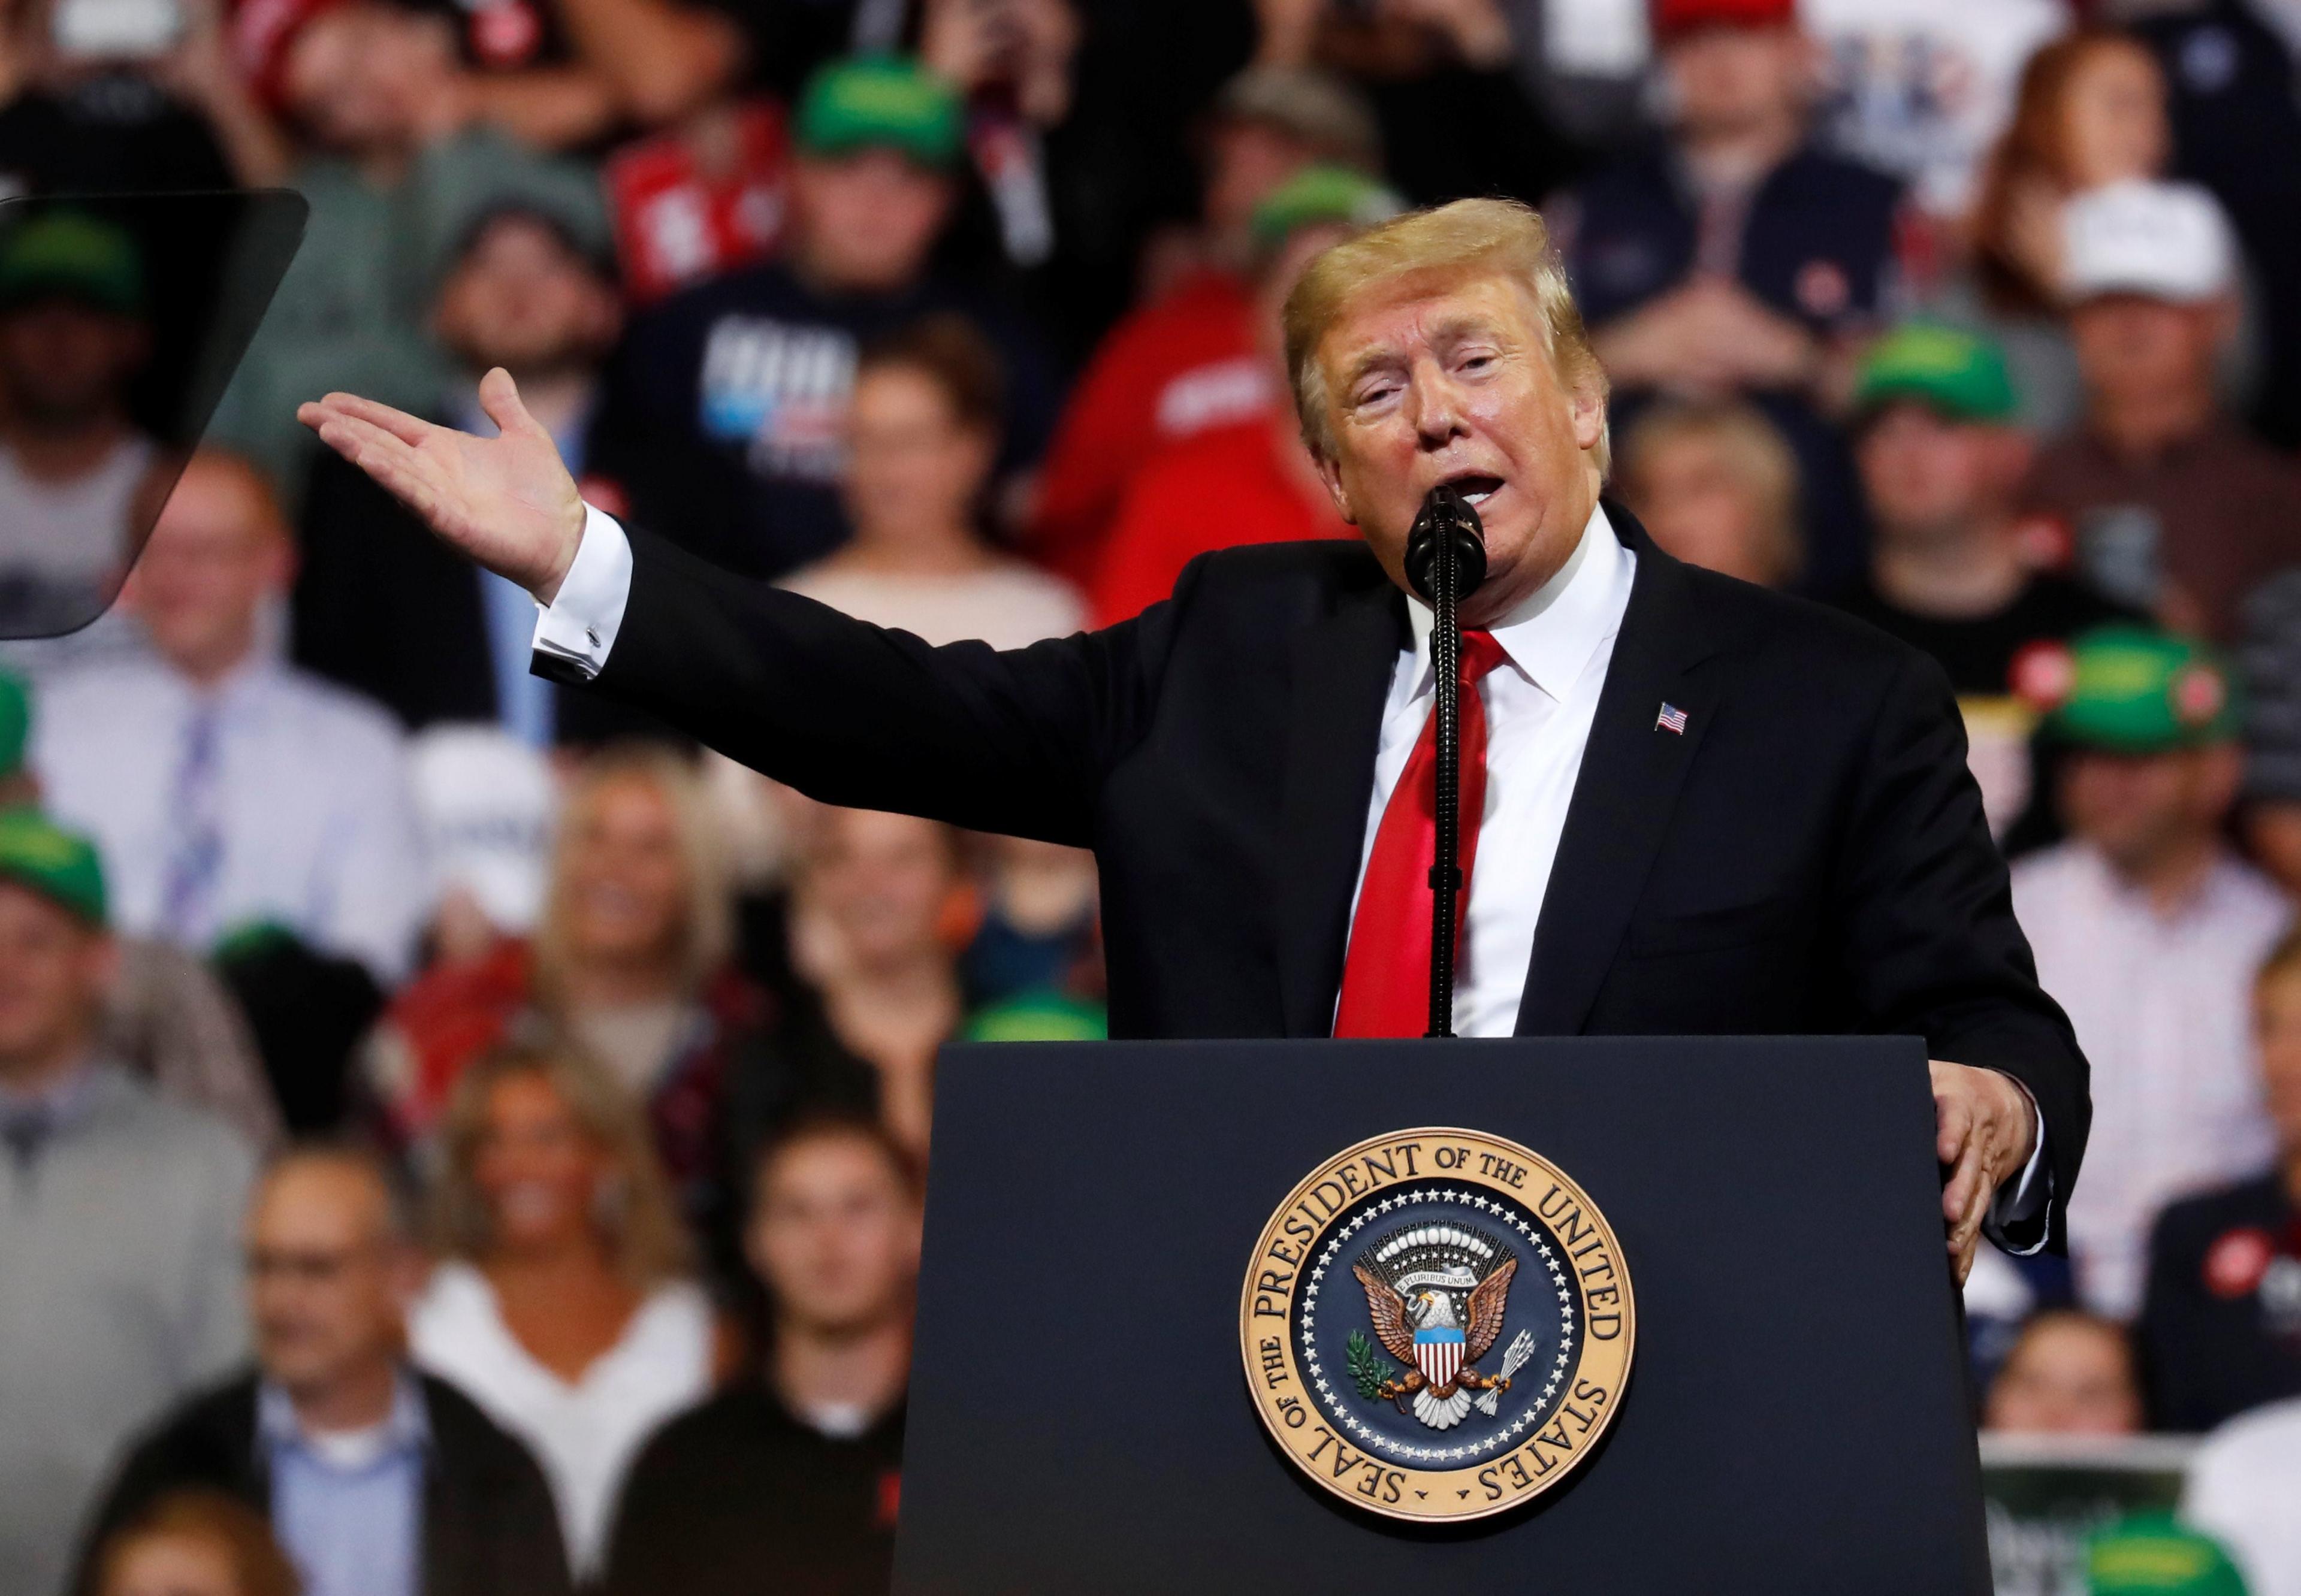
(1386, 979)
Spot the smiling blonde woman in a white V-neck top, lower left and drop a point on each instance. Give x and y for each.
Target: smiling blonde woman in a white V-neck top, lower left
(563, 1300)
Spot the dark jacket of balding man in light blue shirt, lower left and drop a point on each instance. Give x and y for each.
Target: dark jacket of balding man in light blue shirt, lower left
(489, 1521)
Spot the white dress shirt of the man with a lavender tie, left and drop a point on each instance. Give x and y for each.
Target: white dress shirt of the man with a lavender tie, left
(314, 801)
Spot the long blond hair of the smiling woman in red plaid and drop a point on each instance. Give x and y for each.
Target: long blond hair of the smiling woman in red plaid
(708, 923)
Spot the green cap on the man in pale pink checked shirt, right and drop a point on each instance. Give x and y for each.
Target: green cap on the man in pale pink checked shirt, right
(2141, 691)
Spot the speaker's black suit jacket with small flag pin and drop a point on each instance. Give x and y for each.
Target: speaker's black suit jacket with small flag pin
(1810, 857)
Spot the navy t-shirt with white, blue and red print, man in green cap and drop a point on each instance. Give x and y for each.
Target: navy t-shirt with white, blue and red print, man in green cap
(731, 404)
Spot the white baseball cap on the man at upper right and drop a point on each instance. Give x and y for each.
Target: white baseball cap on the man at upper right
(2148, 238)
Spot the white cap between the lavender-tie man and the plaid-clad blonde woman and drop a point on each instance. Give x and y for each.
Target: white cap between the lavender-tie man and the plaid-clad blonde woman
(487, 806)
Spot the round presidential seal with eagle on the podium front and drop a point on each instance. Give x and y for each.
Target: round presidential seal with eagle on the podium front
(1437, 1323)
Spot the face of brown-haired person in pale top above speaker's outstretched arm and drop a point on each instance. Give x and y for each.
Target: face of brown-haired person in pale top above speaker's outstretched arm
(915, 470)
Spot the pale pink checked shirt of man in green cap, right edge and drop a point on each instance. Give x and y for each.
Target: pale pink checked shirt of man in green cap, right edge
(2164, 1011)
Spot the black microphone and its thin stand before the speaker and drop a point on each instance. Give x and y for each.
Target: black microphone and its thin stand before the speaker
(1446, 560)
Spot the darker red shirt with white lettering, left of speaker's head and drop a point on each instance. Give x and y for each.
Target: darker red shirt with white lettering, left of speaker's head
(1170, 371)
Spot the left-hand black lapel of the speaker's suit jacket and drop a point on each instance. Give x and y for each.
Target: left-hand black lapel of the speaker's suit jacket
(1343, 668)
